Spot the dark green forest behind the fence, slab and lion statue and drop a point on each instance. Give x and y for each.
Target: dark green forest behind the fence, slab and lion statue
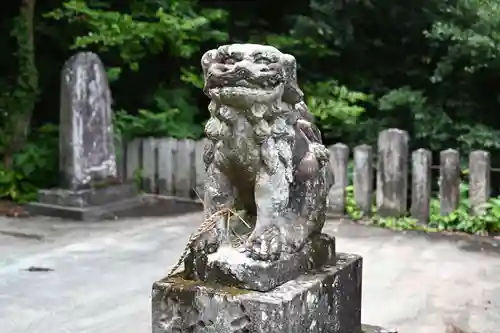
(430, 67)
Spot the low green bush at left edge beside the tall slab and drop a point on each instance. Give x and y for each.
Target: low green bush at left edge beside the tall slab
(35, 166)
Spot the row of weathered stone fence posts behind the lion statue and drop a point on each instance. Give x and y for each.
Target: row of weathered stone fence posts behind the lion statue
(175, 168)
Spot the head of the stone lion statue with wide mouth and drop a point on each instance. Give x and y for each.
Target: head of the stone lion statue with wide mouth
(245, 74)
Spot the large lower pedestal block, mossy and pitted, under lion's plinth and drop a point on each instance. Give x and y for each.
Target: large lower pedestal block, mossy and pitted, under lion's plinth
(327, 300)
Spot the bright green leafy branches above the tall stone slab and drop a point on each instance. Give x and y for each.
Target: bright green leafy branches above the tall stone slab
(146, 28)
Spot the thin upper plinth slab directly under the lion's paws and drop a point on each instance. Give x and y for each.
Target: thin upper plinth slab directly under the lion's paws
(230, 266)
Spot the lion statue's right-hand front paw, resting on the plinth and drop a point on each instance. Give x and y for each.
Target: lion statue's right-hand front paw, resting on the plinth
(264, 246)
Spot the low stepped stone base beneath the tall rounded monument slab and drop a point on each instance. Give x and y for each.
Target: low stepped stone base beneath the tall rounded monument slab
(88, 204)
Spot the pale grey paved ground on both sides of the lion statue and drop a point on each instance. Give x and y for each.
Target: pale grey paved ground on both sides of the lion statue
(102, 274)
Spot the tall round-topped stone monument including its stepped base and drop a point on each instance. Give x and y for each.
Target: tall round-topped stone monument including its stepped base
(90, 186)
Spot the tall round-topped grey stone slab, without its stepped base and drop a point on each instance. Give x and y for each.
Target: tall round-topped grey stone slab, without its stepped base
(86, 140)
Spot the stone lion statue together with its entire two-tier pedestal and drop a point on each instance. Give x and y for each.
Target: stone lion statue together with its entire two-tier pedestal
(264, 159)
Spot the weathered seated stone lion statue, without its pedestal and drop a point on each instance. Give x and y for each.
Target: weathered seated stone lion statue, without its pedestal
(265, 155)
